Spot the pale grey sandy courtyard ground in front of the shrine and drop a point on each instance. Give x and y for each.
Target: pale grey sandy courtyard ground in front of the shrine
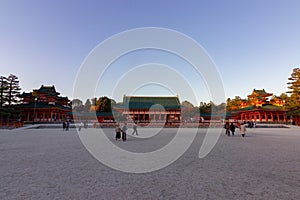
(52, 164)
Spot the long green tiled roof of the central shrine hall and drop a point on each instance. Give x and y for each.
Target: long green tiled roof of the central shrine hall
(140, 102)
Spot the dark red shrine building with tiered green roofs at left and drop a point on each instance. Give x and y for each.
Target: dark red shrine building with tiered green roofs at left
(44, 105)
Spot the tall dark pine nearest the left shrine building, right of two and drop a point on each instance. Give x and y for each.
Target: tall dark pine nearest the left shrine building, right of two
(13, 91)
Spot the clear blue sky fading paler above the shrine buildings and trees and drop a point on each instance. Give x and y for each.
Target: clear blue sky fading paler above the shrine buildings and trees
(254, 43)
